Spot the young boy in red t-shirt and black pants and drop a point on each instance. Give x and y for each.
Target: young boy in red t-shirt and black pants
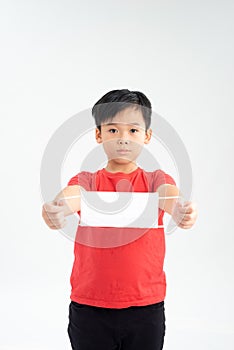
(117, 299)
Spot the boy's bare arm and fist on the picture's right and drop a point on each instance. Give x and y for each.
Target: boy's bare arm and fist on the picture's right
(184, 215)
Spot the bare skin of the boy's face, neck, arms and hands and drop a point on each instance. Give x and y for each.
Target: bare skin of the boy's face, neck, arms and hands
(123, 138)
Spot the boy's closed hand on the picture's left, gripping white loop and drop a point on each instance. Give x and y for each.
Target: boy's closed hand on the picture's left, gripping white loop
(53, 215)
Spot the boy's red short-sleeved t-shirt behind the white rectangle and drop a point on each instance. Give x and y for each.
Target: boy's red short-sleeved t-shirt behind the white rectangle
(127, 275)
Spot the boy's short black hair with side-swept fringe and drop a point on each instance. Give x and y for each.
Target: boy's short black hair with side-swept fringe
(117, 100)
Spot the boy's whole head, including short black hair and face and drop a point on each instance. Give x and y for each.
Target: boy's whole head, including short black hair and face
(123, 119)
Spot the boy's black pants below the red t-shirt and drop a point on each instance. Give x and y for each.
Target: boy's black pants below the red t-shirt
(132, 328)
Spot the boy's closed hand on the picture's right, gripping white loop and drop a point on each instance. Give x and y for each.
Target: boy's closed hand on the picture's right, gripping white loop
(185, 215)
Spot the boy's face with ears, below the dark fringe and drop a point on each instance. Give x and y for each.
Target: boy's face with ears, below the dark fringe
(124, 136)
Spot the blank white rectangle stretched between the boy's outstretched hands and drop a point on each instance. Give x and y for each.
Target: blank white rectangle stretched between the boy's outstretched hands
(119, 209)
